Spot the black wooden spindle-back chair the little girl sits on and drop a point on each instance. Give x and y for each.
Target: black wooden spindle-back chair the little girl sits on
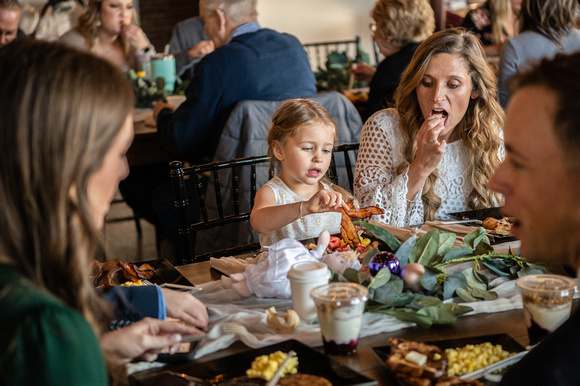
(232, 187)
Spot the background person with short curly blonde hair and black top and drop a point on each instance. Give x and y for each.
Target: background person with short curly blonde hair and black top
(399, 27)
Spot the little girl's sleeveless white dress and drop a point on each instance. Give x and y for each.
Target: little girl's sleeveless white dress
(305, 227)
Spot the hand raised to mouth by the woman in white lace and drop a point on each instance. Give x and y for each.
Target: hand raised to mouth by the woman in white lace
(429, 150)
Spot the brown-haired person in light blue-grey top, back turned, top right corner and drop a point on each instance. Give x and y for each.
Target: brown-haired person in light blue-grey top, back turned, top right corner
(548, 27)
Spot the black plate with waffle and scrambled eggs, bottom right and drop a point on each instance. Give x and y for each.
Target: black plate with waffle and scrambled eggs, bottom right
(475, 360)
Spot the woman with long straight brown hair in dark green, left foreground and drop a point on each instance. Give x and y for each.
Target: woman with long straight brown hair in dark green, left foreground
(65, 126)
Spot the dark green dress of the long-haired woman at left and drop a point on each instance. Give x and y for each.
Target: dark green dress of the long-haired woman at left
(43, 341)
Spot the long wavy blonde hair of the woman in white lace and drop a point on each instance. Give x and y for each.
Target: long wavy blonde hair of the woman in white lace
(480, 127)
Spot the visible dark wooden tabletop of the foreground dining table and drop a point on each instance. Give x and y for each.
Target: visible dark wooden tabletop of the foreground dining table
(365, 361)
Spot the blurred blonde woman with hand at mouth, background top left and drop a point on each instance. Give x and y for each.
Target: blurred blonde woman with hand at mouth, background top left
(107, 29)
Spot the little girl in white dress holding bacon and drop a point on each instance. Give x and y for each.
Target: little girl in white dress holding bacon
(298, 203)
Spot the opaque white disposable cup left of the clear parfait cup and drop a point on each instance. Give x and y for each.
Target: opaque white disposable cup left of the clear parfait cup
(305, 276)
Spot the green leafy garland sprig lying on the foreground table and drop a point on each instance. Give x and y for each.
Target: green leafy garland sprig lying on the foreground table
(435, 252)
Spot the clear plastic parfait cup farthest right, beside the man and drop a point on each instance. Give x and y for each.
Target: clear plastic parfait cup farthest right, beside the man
(547, 301)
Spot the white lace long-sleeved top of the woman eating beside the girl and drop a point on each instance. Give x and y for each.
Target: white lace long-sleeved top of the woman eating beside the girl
(376, 181)
